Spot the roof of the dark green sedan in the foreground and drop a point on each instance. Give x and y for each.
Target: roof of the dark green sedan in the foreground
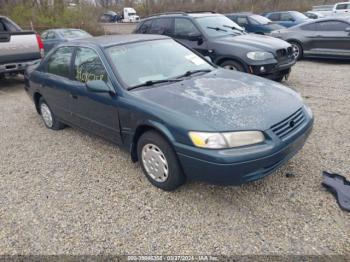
(111, 40)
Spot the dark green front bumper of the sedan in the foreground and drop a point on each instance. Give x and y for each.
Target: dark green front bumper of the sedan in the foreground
(238, 167)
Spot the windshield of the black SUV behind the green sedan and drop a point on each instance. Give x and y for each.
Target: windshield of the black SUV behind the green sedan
(217, 26)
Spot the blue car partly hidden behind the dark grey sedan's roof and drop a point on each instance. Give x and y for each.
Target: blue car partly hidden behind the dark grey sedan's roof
(286, 18)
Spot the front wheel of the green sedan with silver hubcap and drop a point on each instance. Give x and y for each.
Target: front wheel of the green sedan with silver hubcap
(159, 162)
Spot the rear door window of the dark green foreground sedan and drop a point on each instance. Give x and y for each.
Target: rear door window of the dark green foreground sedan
(59, 62)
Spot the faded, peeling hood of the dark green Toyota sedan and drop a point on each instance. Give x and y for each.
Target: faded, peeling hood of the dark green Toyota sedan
(224, 100)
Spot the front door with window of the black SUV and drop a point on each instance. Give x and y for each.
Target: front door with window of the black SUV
(186, 32)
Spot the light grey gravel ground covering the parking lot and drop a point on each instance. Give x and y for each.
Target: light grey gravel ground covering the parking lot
(68, 192)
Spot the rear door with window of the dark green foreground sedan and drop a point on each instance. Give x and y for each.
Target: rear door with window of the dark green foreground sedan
(56, 82)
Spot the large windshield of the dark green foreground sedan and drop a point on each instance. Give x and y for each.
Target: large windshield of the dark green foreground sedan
(153, 61)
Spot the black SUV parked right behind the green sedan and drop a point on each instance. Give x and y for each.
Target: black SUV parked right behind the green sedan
(225, 42)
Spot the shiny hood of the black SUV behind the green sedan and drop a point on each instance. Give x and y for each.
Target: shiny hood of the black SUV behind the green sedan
(256, 42)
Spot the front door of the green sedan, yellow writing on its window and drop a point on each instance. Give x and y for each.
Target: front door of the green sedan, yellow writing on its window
(95, 112)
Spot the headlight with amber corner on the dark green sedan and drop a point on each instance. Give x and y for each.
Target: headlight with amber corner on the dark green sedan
(226, 140)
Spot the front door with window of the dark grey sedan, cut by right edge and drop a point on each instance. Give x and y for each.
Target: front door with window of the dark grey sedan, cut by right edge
(331, 38)
